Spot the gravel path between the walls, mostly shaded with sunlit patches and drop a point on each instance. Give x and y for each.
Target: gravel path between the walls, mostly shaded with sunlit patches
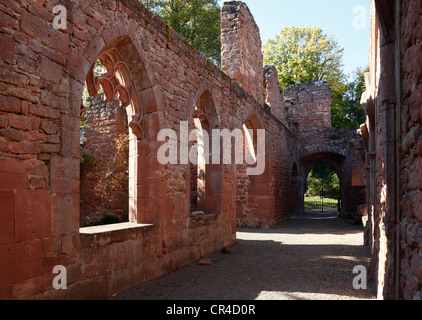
(310, 257)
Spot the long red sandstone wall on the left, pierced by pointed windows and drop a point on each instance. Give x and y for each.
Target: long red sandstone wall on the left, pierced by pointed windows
(43, 71)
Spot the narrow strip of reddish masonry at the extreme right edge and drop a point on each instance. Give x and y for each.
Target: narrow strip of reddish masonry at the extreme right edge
(411, 163)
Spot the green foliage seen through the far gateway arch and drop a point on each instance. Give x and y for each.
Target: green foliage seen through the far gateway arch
(323, 180)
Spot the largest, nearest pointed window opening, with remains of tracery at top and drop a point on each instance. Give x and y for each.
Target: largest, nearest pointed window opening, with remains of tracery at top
(105, 142)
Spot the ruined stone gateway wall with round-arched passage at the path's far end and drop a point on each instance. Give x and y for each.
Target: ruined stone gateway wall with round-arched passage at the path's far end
(308, 114)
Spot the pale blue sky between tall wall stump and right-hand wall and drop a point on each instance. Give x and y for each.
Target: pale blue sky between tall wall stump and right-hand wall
(335, 17)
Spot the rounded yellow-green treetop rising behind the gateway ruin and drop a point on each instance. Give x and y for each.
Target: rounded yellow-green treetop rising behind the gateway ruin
(305, 54)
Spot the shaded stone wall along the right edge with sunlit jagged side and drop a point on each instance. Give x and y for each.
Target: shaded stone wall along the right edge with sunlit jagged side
(392, 135)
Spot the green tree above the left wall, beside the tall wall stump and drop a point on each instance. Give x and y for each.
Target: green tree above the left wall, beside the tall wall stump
(197, 21)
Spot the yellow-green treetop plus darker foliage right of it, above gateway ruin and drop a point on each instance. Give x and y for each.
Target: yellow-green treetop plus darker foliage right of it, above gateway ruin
(307, 54)
